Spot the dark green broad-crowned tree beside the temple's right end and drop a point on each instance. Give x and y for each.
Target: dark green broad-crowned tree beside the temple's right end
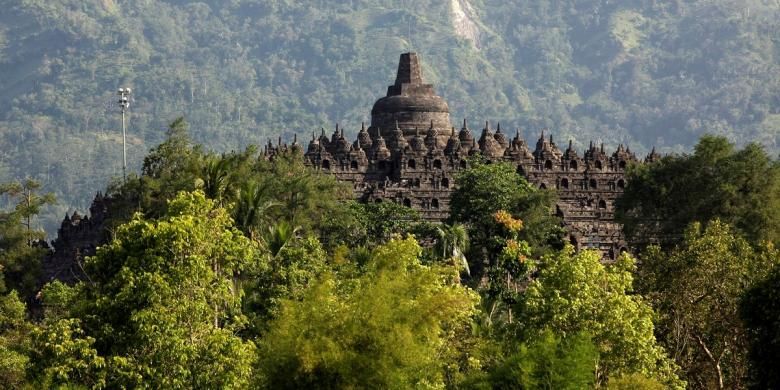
(739, 187)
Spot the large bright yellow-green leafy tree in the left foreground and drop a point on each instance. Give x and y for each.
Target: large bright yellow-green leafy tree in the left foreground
(162, 306)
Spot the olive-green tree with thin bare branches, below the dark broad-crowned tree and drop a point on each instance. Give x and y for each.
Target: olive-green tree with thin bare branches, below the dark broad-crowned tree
(696, 289)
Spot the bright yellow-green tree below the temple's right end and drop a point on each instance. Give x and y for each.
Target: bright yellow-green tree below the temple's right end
(577, 293)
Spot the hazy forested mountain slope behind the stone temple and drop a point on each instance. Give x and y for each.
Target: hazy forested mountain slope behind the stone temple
(641, 72)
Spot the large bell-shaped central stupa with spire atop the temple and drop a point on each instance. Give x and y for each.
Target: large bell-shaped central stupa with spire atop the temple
(410, 103)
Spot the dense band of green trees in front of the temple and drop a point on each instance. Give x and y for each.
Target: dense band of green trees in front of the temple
(232, 271)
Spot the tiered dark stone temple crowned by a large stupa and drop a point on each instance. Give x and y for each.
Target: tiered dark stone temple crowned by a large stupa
(411, 153)
